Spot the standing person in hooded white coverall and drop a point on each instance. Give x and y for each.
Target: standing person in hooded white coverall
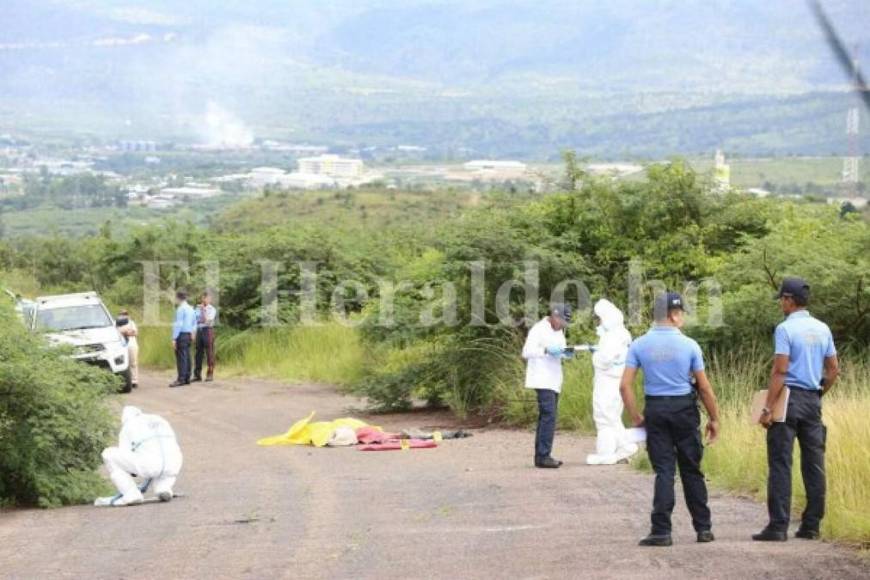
(612, 444)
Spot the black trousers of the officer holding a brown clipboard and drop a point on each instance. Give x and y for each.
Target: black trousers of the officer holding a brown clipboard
(804, 421)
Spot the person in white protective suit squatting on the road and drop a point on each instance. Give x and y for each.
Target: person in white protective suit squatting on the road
(147, 448)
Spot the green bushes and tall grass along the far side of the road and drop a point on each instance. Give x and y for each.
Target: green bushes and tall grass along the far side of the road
(668, 227)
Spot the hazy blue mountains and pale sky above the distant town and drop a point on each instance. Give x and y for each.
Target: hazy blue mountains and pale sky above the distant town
(504, 77)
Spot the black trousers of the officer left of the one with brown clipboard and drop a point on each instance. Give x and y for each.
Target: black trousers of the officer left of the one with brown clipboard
(673, 438)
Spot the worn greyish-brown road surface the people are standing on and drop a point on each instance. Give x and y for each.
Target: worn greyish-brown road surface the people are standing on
(472, 508)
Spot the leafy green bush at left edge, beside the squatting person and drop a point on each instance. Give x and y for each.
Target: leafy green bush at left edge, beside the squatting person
(53, 421)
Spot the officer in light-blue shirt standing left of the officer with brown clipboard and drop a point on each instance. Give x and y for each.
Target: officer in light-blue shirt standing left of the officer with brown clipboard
(670, 361)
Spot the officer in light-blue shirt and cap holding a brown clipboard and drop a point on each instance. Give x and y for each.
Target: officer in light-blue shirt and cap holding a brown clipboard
(806, 364)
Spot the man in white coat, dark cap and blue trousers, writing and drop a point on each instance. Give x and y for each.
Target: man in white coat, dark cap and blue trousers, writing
(544, 350)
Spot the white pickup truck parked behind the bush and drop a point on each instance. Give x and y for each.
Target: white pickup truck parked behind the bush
(83, 322)
